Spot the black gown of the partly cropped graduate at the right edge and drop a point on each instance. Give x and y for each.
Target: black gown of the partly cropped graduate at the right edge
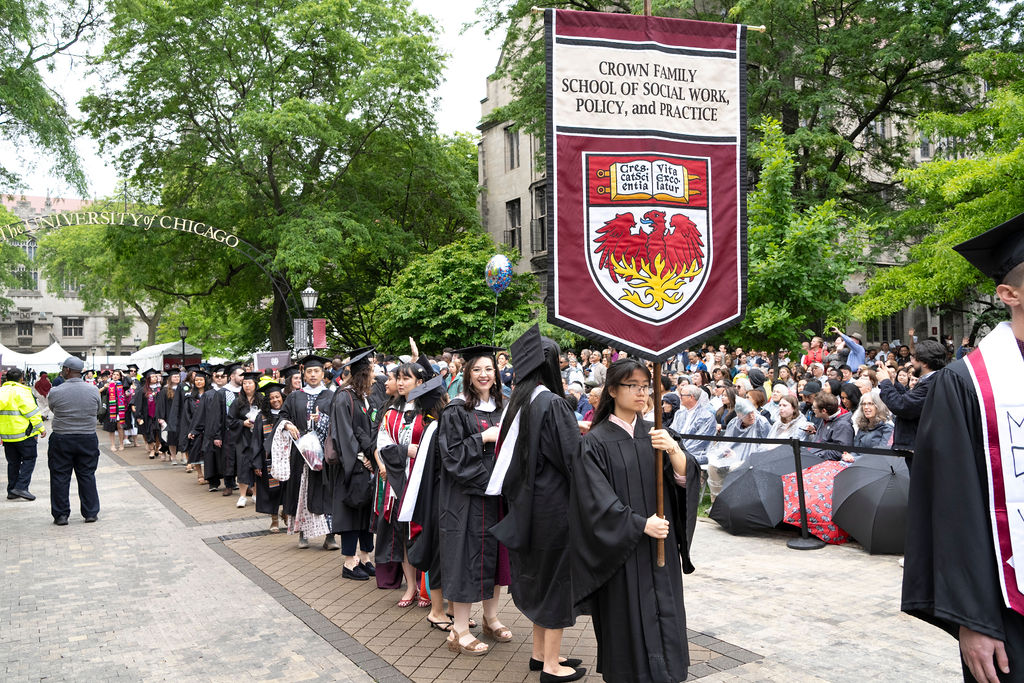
(951, 578)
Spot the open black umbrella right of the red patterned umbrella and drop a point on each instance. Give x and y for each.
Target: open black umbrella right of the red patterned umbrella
(870, 502)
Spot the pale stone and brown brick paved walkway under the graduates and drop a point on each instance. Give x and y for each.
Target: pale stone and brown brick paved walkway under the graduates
(177, 583)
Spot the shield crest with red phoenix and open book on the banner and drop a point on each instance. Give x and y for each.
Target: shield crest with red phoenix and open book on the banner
(648, 231)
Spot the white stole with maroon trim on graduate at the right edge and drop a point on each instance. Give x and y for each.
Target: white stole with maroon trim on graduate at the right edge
(998, 371)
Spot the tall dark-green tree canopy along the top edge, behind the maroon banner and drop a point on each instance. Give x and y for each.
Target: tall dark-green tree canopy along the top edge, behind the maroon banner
(837, 74)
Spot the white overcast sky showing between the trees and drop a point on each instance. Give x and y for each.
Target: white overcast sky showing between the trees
(472, 59)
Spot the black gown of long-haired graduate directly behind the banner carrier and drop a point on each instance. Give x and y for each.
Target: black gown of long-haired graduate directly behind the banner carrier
(539, 544)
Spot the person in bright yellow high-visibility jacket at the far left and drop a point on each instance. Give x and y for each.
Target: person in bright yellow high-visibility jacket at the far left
(21, 424)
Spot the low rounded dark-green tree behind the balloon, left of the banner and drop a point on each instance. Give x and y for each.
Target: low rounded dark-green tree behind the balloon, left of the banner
(443, 301)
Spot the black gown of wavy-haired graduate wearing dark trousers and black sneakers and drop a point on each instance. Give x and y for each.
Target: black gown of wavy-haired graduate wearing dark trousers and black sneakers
(350, 482)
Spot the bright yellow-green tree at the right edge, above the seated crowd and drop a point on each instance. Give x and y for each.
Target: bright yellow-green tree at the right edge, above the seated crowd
(972, 186)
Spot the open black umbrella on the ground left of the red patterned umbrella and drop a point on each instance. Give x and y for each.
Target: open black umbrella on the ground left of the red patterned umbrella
(751, 499)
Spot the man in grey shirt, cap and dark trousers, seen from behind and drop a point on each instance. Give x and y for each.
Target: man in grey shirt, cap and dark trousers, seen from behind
(74, 446)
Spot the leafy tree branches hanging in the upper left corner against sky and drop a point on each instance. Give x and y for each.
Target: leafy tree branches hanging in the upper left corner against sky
(32, 35)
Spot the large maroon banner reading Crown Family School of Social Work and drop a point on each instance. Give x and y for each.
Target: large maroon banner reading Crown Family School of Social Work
(647, 151)
